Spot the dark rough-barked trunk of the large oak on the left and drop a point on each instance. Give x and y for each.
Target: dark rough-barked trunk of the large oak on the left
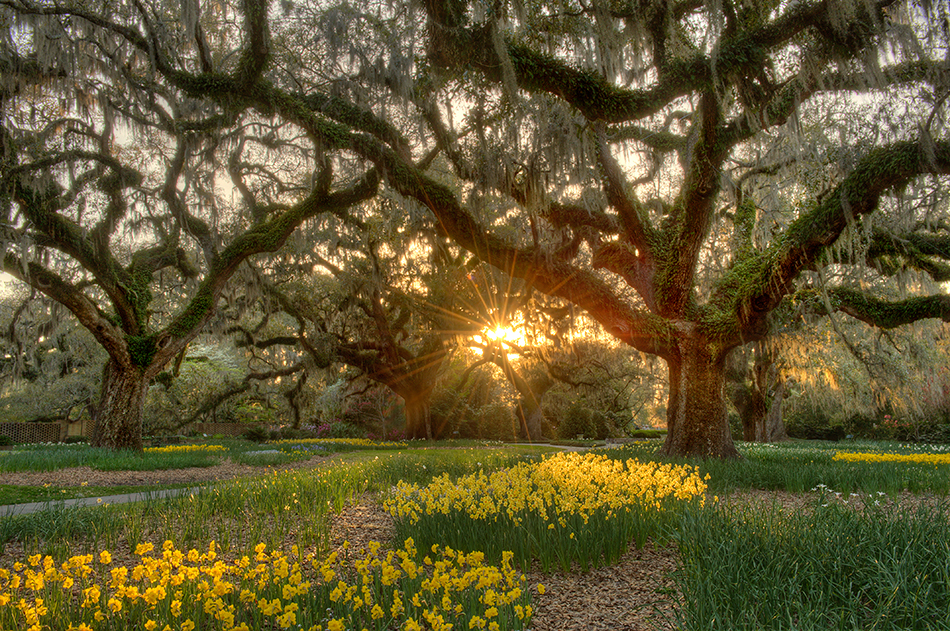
(121, 404)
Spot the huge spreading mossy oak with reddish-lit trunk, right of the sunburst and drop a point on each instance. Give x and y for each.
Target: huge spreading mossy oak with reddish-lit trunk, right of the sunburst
(624, 134)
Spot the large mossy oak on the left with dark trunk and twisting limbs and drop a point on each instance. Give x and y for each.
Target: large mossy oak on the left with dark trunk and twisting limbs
(118, 152)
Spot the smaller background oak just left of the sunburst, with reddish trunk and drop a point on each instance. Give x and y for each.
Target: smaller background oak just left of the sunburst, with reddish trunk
(365, 304)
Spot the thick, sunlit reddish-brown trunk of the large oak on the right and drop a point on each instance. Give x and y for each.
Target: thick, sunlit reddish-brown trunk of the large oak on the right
(697, 424)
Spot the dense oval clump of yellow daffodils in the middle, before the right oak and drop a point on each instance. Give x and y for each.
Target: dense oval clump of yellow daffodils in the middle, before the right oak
(566, 508)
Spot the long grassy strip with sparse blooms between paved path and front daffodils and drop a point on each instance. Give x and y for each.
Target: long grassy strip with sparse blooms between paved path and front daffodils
(276, 508)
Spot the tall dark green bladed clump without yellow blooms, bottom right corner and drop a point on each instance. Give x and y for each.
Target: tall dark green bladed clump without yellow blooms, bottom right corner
(833, 567)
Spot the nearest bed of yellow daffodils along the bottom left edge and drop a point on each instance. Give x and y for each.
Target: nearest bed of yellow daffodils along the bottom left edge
(172, 589)
